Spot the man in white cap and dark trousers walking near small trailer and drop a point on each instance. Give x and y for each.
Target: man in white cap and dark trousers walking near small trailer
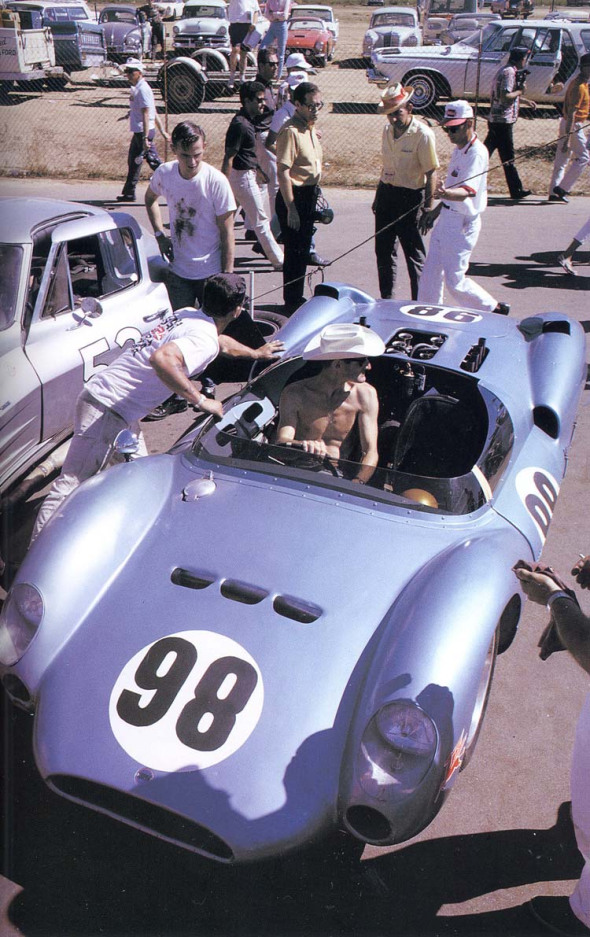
(143, 121)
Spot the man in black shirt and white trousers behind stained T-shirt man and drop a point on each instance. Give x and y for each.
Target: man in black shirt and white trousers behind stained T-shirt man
(240, 165)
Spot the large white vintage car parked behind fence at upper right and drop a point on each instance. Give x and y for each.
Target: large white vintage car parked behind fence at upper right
(453, 71)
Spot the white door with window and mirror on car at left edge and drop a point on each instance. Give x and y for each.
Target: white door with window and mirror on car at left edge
(92, 263)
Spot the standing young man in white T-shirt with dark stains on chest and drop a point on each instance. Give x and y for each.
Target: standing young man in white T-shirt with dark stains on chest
(201, 207)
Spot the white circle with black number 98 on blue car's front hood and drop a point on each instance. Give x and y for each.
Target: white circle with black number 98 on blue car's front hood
(187, 701)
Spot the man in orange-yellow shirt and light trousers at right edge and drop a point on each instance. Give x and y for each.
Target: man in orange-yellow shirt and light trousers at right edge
(573, 148)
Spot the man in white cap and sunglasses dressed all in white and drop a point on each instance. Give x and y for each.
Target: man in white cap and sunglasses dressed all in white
(463, 199)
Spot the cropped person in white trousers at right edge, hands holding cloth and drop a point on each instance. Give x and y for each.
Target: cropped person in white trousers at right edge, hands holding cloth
(568, 629)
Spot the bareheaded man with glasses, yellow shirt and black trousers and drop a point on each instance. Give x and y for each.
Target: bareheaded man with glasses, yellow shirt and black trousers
(299, 170)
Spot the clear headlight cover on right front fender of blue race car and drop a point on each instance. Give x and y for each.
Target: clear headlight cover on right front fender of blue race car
(396, 750)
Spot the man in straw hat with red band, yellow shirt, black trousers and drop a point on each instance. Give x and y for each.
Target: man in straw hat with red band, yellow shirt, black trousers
(406, 186)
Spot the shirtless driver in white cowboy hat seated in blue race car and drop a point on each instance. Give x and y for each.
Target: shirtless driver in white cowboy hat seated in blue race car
(319, 413)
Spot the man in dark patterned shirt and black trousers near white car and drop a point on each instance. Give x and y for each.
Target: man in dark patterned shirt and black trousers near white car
(506, 97)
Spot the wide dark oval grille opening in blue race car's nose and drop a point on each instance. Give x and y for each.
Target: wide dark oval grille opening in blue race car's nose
(141, 813)
